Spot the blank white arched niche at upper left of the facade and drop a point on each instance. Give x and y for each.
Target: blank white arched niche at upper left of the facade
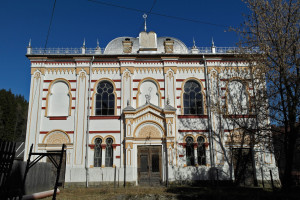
(59, 99)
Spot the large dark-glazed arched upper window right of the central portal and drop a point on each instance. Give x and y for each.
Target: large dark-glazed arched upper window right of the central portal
(192, 98)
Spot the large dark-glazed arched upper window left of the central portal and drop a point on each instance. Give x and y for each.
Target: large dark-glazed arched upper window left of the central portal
(105, 99)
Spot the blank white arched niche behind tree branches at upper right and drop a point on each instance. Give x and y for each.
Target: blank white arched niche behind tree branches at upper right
(237, 98)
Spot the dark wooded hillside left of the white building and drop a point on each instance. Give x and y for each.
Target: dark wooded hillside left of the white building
(13, 116)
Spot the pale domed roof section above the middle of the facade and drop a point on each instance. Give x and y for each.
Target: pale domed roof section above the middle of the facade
(117, 45)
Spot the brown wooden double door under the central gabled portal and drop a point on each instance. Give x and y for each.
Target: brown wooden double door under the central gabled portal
(149, 165)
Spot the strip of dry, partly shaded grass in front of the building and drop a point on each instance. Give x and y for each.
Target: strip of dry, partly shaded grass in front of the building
(175, 192)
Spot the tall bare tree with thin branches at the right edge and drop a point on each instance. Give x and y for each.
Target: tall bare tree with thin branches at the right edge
(273, 26)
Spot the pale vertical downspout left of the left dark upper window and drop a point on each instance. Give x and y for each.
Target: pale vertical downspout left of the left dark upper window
(88, 126)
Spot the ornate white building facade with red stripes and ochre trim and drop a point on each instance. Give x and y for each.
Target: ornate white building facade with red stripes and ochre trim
(151, 112)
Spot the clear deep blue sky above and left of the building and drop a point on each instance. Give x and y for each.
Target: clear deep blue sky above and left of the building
(77, 19)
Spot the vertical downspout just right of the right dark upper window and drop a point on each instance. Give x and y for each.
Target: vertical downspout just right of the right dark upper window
(211, 152)
